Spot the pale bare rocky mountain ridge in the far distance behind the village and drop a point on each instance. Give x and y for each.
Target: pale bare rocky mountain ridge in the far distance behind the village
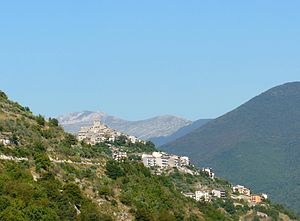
(143, 129)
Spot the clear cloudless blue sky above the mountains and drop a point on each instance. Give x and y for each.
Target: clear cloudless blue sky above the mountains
(137, 59)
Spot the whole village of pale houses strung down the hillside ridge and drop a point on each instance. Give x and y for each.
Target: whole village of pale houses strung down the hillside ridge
(163, 163)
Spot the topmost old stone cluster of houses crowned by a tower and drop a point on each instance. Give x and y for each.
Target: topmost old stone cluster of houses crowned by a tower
(99, 133)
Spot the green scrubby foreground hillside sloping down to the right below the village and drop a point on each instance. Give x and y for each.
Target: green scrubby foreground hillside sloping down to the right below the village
(47, 175)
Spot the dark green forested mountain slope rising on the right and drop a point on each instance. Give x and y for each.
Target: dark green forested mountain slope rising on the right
(257, 144)
